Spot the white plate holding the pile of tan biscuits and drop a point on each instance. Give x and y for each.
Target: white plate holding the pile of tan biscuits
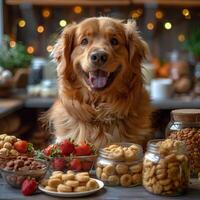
(73, 194)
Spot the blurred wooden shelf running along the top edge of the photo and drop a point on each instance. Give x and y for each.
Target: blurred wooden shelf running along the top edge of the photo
(188, 3)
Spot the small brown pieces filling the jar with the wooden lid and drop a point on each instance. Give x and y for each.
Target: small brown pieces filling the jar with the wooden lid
(191, 137)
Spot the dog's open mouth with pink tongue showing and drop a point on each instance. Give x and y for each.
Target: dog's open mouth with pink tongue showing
(99, 79)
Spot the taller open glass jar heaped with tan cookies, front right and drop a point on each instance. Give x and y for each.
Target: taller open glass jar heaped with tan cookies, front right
(166, 167)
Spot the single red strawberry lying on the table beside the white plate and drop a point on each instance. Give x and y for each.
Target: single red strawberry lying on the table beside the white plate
(29, 186)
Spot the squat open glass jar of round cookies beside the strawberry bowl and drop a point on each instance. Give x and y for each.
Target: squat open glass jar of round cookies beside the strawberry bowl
(120, 165)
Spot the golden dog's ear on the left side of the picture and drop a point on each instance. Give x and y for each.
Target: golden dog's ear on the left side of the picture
(64, 46)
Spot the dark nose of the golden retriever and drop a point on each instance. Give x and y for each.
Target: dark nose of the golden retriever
(98, 57)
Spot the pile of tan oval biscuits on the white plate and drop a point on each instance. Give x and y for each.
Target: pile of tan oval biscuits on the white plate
(69, 182)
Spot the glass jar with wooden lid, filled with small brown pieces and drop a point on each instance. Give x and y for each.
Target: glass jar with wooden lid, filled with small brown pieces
(185, 126)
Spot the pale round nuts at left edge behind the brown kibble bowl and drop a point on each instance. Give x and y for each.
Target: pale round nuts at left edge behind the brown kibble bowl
(6, 145)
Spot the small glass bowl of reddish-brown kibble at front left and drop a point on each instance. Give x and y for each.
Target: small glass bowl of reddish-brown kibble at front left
(23, 167)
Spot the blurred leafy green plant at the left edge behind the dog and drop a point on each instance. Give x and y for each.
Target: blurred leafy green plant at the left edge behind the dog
(15, 57)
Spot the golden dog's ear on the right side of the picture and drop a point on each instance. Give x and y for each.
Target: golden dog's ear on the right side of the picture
(137, 47)
